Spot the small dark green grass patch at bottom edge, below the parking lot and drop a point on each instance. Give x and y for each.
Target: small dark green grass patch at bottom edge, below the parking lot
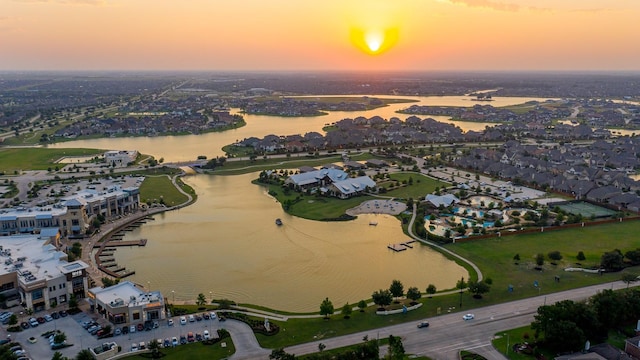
(195, 351)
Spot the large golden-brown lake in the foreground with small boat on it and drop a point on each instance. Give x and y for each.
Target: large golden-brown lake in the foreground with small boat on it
(227, 243)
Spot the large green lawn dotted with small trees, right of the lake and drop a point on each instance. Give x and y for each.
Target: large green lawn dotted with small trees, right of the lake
(495, 257)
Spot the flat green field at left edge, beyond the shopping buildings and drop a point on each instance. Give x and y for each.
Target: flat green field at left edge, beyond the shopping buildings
(16, 159)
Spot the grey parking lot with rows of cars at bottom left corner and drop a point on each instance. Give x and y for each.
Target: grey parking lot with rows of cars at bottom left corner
(81, 339)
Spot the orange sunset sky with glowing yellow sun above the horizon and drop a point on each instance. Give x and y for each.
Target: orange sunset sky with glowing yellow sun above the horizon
(330, 35)
